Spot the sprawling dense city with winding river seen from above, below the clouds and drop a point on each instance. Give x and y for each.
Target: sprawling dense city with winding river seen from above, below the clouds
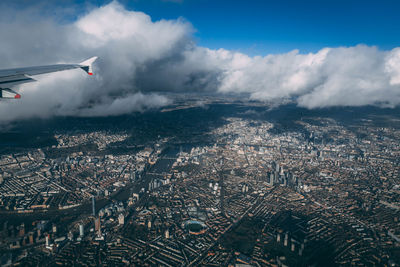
(247, 190)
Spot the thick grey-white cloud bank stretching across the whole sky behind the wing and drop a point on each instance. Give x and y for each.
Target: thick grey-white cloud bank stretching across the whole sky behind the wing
(139, 59)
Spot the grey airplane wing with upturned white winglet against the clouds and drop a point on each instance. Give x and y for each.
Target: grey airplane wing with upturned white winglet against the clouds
(12, 77)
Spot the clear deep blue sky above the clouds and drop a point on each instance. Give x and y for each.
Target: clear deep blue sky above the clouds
(262, 27)
